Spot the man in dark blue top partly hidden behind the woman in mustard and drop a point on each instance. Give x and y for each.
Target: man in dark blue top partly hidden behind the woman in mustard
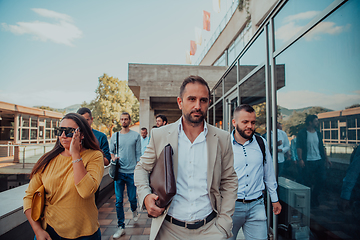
(101, 137)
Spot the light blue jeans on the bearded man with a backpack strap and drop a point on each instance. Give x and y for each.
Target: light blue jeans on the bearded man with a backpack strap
(252, 218)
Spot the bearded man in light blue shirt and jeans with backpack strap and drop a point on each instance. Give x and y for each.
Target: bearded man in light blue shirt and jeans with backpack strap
(253, 174)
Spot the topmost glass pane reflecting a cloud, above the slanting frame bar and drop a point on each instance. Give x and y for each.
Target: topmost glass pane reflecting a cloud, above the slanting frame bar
(294, 16)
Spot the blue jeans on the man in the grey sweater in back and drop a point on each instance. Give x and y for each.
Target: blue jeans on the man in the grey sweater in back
(128, 179)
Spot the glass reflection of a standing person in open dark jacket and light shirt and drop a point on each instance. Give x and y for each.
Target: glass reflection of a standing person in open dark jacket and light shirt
(312, 157)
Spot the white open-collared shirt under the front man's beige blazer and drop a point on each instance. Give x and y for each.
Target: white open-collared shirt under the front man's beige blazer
(191, 201)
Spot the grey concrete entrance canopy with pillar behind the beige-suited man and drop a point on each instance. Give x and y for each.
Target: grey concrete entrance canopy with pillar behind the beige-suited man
(157, 87)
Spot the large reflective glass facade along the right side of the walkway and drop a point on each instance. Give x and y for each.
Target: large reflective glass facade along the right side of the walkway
(313, 54)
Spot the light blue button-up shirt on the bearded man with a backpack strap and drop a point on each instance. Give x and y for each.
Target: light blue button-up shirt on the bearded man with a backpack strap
(252, 174)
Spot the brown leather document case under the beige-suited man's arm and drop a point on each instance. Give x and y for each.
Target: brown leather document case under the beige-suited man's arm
(162, 178)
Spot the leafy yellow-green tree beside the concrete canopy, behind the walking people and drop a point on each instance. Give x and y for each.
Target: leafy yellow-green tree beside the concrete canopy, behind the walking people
(112, 98)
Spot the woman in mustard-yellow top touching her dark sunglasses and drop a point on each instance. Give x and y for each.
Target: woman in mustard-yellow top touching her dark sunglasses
(71, 173)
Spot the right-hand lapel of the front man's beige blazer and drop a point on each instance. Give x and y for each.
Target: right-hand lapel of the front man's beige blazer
(212, 142)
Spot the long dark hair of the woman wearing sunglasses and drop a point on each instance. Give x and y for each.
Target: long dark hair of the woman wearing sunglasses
(89, 142)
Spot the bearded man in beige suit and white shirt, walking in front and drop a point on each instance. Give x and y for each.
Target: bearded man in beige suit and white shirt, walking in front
(206, 183)
